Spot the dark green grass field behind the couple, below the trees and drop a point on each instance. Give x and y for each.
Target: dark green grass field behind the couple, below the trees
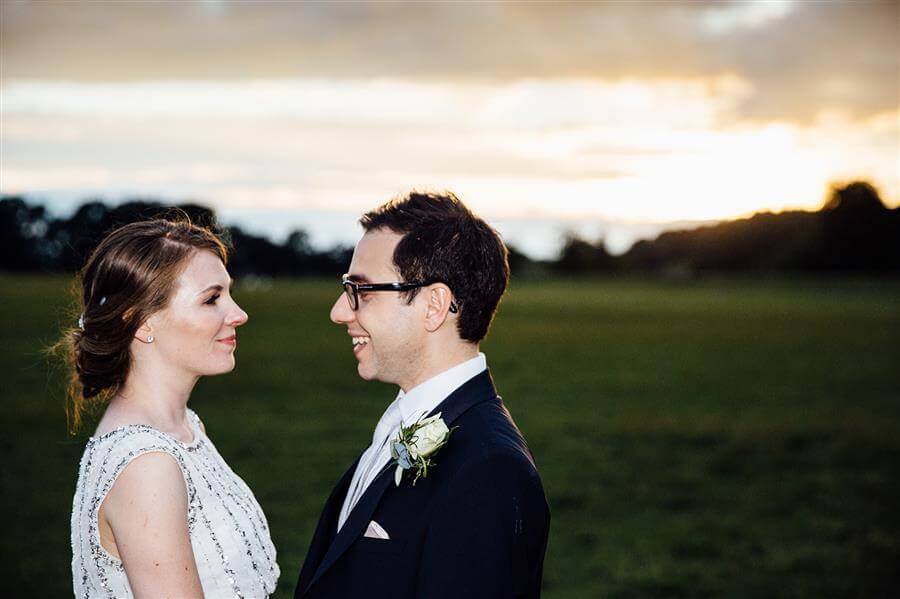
(720, 438)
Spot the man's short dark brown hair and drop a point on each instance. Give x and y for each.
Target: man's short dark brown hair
(443, 241)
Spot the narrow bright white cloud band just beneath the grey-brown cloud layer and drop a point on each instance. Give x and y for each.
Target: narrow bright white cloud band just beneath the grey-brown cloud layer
(516, 104)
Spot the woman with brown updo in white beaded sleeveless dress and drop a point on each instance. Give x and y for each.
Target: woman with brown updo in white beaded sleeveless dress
(157, 511)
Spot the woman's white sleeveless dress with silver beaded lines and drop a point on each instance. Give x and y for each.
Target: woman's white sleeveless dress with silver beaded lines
(229, 533)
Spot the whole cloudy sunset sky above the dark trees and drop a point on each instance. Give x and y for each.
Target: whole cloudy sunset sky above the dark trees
(611, 118)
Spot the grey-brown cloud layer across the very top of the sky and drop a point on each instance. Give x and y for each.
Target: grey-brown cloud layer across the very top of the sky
(796, 59)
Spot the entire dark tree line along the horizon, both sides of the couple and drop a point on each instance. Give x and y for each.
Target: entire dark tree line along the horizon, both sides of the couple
(853, 232)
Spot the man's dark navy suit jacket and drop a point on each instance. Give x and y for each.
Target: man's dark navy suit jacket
(477, 526)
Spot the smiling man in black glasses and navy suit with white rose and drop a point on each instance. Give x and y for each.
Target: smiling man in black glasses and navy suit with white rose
(423, 285)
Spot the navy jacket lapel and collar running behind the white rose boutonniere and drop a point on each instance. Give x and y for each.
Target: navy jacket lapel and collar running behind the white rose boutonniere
(477, 389)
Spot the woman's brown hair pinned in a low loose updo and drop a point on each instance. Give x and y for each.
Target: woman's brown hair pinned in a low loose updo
(129, 276)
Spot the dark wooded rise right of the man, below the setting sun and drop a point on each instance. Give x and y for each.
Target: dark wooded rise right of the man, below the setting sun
(852, 233)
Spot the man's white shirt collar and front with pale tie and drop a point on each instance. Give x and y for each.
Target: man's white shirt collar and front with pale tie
(406, 409)
